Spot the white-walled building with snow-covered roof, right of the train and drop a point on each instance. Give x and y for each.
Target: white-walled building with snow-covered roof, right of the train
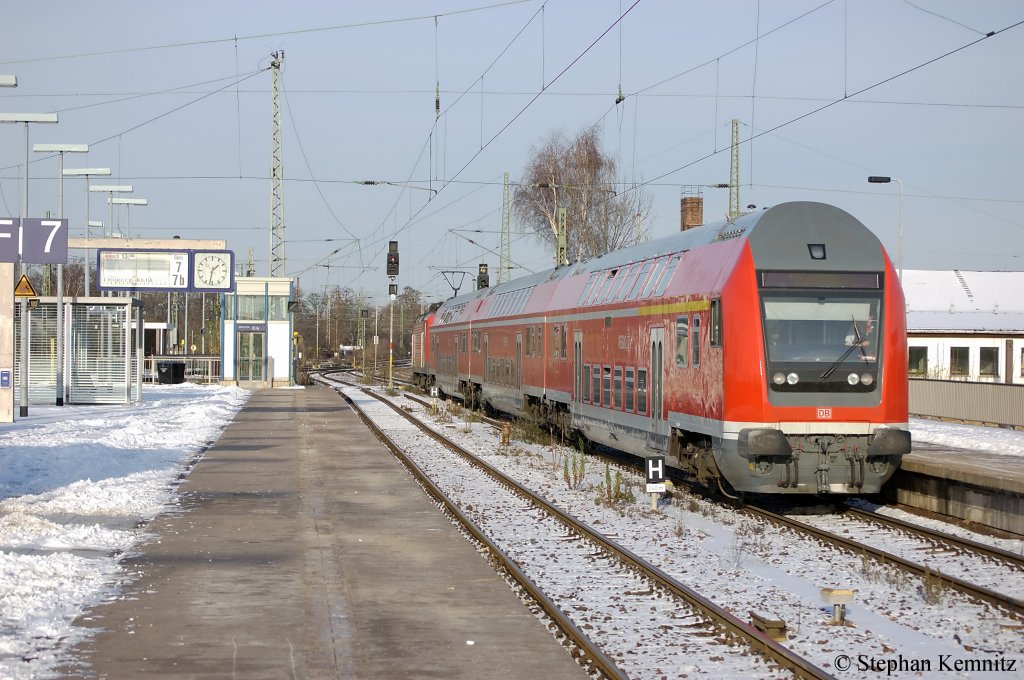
(966, 325)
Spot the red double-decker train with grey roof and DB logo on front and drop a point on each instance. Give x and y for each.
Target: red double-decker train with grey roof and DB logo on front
(763, 355)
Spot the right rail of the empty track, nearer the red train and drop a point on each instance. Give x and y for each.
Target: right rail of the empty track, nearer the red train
(764, 646)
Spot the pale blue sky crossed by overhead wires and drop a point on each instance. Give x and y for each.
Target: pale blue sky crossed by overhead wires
(176, 100)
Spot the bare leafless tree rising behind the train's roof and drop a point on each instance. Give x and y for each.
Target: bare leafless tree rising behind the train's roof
(579, 177)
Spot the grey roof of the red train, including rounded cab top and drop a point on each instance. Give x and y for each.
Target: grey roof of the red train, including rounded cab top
(805, 219)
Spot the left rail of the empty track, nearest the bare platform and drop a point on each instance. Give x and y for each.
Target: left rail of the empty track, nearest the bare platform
(589, 655)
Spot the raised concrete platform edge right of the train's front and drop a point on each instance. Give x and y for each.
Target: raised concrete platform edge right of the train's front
(982, 488)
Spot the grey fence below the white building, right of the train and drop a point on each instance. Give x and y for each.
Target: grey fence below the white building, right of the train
(991, 404)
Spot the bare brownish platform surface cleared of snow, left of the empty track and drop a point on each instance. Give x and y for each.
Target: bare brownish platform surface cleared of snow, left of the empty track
(305, 550)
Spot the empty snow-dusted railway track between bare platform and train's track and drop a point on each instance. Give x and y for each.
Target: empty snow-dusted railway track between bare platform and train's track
(682, 622)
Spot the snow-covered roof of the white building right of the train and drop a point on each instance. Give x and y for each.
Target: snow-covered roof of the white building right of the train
(964, 302)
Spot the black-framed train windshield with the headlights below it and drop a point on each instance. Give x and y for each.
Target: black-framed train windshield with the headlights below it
(820, 342)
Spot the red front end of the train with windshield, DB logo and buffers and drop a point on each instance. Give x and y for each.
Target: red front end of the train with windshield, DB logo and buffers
(817, 397)
